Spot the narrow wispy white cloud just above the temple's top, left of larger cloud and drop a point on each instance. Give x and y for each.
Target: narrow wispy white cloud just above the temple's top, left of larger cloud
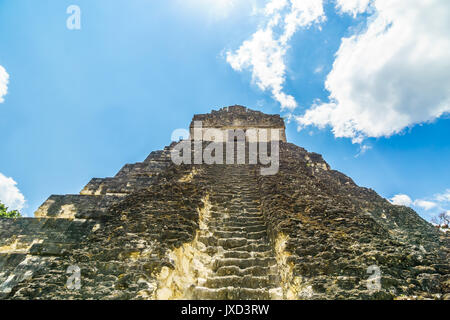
(263, 54)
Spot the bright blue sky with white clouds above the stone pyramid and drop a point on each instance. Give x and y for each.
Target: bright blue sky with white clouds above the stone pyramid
(82, 103)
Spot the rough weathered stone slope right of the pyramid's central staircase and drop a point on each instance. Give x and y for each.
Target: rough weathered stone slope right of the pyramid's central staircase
(334, 231)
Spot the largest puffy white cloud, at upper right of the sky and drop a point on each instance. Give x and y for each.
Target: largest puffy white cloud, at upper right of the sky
(392, 75)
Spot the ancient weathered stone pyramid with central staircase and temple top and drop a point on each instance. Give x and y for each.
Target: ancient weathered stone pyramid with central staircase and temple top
(158, 230)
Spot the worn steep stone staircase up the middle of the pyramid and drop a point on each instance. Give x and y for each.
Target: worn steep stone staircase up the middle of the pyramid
(244, 265)
